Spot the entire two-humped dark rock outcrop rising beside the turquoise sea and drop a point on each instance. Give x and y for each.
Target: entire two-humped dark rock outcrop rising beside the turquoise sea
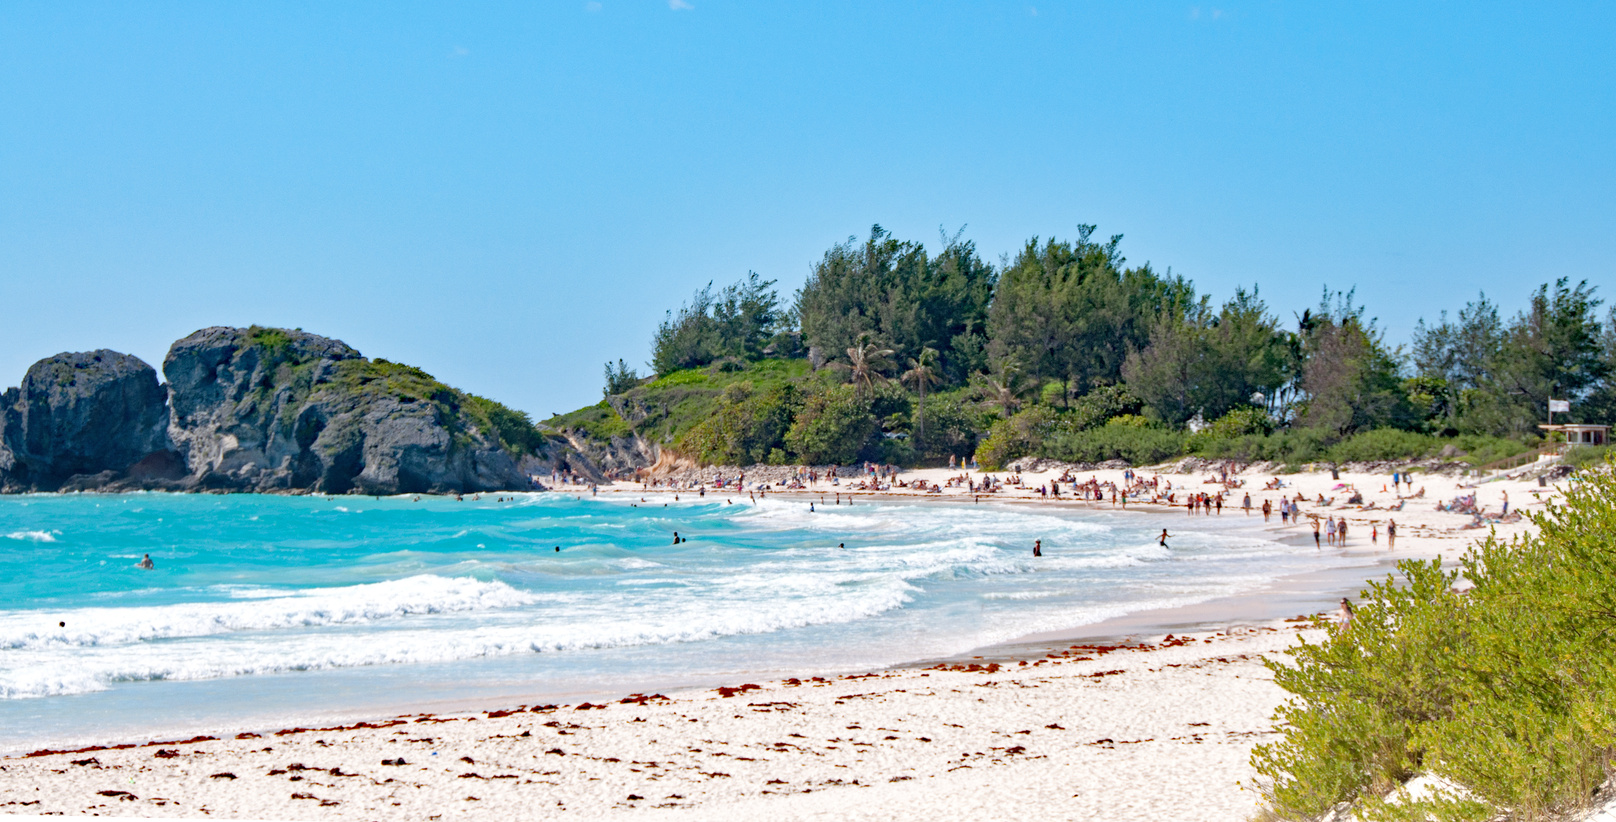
(256, 409)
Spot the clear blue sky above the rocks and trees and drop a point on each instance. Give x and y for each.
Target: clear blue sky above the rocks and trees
(511, 195)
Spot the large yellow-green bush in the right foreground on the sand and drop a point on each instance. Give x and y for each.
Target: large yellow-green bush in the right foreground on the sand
(1507, 690)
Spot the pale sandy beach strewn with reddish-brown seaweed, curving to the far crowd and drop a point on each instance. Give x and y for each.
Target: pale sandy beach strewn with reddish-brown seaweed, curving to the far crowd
(1159, 729)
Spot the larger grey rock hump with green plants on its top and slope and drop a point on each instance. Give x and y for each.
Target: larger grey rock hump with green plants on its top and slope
(274, 411)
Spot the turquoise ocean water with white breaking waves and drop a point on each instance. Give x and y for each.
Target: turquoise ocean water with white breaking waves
(267, 610)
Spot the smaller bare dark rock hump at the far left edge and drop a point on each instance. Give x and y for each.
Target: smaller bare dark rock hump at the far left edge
(95, 413)
